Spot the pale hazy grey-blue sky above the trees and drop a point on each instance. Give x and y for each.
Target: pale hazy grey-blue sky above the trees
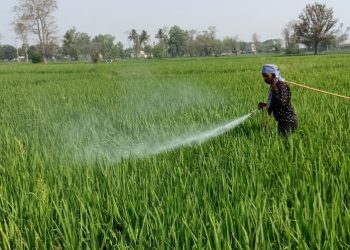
(230, 17)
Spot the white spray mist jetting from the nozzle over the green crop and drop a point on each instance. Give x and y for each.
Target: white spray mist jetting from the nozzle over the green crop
(96, 135)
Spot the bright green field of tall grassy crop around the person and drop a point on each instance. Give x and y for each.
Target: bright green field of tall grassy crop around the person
(76, 169)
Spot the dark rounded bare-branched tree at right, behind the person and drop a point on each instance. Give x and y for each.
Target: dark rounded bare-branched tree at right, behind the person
(316, 25)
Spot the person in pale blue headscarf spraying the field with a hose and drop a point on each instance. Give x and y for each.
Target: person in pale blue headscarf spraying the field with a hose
(279, 100)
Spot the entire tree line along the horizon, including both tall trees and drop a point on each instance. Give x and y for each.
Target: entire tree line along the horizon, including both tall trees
(315, 28)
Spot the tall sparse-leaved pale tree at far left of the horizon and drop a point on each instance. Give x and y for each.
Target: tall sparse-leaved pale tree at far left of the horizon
(37, 15)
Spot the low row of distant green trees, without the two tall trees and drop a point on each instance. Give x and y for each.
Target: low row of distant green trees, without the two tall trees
(170, 42)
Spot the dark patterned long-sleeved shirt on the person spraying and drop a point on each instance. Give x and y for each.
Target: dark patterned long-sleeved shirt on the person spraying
(280, 104)
